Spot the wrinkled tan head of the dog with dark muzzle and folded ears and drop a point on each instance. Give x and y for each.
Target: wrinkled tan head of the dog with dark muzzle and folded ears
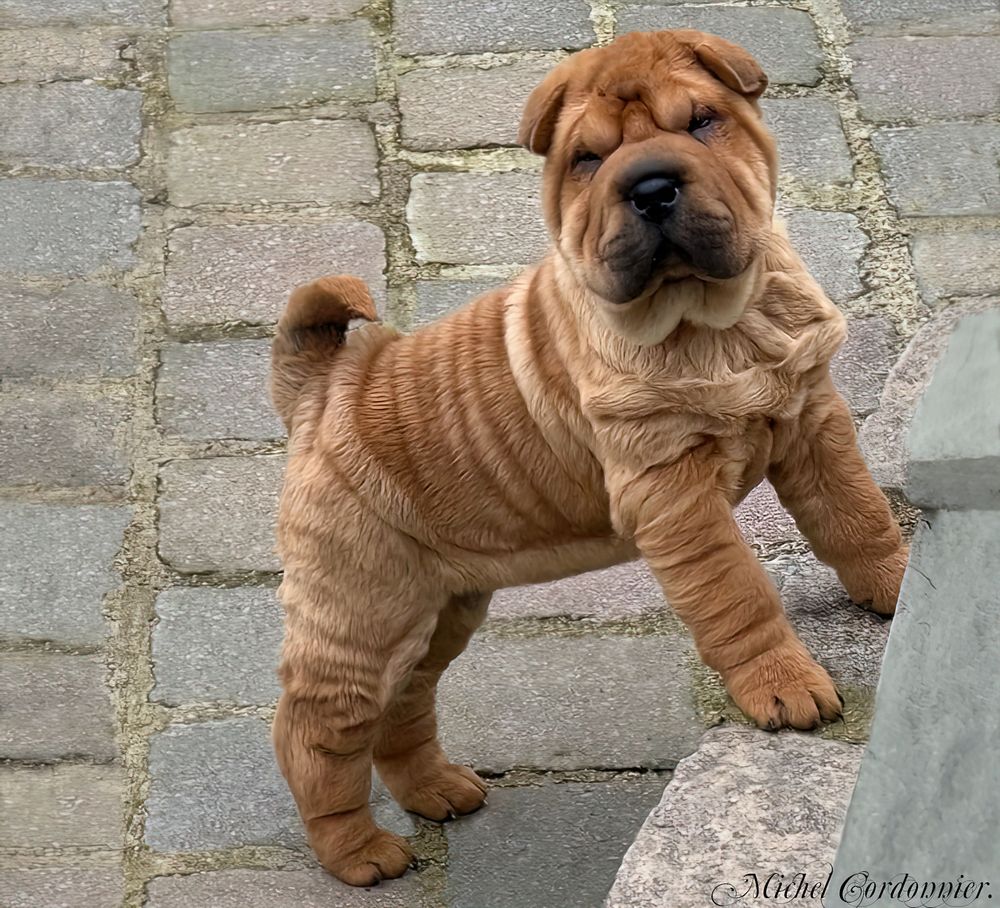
(659, 170)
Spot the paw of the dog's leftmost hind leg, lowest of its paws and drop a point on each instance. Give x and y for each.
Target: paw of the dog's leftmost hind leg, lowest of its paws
(359, 854)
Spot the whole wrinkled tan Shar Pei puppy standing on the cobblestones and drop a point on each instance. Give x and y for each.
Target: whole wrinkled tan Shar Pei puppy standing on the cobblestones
(616, 401)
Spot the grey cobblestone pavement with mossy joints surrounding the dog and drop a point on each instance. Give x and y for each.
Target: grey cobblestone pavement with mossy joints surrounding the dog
(167, 175)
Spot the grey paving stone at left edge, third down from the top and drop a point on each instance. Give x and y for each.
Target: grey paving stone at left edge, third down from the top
(70, 124)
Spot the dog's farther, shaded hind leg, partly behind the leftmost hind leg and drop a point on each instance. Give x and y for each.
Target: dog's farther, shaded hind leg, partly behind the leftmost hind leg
(407, 755)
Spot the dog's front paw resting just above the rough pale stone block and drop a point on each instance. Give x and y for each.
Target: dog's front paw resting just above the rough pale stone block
(785, 687)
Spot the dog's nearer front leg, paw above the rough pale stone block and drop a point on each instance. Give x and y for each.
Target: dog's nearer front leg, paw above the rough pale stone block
(682, 523)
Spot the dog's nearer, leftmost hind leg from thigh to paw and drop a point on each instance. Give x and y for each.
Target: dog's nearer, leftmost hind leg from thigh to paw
(345, 656)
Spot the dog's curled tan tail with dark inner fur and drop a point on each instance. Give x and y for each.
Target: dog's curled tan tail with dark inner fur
(311, 329)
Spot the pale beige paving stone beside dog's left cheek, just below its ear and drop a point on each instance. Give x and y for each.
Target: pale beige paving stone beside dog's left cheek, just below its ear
(447, 223)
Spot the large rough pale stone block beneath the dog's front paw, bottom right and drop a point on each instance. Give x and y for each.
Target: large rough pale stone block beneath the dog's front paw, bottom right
(748, 802)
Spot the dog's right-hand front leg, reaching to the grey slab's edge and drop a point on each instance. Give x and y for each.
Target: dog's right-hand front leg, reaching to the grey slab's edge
(822, 480)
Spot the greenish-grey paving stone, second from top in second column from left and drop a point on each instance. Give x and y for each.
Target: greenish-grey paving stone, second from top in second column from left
(254, 69)
